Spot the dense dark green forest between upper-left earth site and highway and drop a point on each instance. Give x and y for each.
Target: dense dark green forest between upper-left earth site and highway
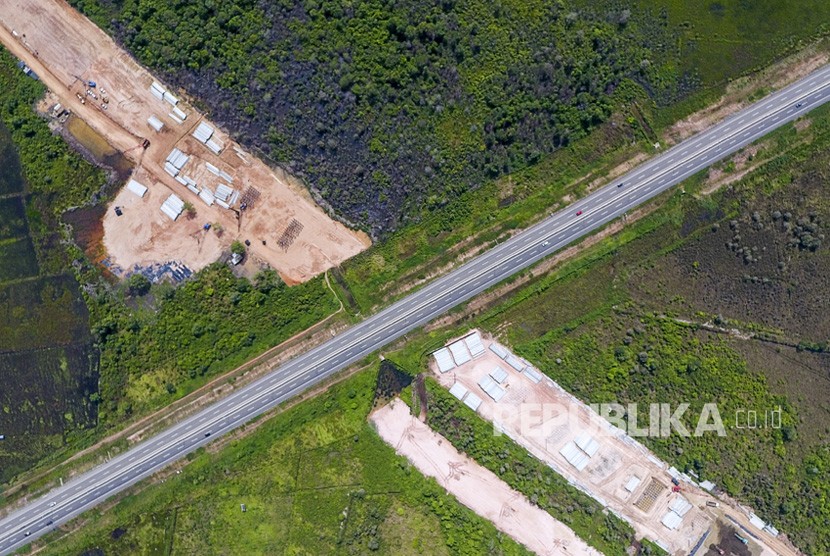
(388, 107)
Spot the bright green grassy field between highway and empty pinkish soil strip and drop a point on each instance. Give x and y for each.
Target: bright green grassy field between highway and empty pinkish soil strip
(315, 480)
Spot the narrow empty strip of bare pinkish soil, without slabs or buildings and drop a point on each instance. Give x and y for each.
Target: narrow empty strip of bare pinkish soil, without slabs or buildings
(475, 487)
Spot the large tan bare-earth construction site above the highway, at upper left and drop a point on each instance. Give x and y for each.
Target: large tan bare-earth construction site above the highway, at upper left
(286, 229)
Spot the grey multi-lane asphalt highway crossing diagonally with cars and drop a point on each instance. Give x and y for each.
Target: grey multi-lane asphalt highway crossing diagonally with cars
(524, 249)
